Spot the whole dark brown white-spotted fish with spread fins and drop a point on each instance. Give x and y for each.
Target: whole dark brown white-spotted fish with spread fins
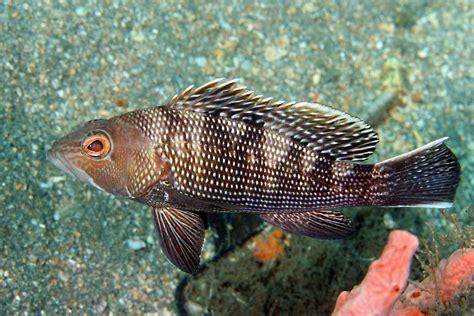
(223, 148)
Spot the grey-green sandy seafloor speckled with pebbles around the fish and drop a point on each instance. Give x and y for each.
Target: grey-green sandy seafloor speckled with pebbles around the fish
(65, 246)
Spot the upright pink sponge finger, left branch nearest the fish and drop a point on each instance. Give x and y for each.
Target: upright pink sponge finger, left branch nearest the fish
(384, 282)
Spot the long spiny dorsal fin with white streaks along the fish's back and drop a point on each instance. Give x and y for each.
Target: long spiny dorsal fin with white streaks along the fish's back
(327, 131)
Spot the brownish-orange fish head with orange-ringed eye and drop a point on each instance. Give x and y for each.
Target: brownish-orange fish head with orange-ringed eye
(100, 154)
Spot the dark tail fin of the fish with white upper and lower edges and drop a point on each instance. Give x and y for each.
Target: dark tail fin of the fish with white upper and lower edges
(425, 177)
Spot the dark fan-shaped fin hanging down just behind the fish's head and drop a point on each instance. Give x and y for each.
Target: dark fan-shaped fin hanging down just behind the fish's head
(181, 235)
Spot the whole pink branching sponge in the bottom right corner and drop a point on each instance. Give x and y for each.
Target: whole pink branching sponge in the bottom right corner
(379, 292)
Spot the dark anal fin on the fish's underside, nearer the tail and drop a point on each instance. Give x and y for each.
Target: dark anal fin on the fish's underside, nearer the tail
(316, 224)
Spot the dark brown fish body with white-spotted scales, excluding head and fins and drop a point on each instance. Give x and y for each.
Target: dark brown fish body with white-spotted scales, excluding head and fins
(226, 165)
